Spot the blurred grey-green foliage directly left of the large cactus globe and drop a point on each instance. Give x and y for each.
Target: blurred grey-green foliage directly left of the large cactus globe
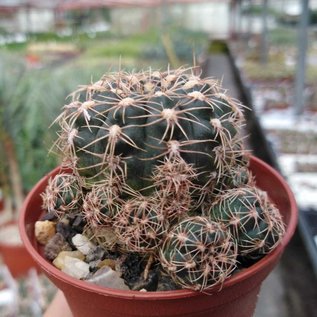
(40, 93)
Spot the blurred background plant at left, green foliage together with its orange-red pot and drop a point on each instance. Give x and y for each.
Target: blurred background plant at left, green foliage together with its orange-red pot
(23, 93)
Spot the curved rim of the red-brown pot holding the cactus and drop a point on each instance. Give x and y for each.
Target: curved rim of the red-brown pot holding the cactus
(163, 295)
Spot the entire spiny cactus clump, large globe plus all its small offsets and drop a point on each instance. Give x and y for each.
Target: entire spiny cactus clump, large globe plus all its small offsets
(160, 167)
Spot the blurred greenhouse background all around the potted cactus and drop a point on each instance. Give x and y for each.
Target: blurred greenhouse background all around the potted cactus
(265, 54)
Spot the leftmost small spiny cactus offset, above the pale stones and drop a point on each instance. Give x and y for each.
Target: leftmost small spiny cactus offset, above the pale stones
(63, 194)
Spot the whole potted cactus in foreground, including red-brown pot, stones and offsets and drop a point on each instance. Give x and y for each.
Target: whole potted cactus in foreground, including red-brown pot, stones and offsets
(157, 209)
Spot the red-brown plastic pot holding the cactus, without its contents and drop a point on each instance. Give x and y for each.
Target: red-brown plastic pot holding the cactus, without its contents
(237, 297)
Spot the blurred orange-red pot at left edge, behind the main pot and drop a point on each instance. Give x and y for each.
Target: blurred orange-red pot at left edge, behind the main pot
(15, 256)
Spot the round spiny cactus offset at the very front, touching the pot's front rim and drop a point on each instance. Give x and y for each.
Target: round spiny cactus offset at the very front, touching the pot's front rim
(198, 253)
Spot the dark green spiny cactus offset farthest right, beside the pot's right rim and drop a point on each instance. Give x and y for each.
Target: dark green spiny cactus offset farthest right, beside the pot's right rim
(252, 219)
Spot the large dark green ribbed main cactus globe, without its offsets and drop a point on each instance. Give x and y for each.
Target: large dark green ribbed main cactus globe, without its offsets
(128, 126)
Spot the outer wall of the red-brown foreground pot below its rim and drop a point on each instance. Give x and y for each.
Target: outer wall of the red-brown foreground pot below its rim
(239, 301)
